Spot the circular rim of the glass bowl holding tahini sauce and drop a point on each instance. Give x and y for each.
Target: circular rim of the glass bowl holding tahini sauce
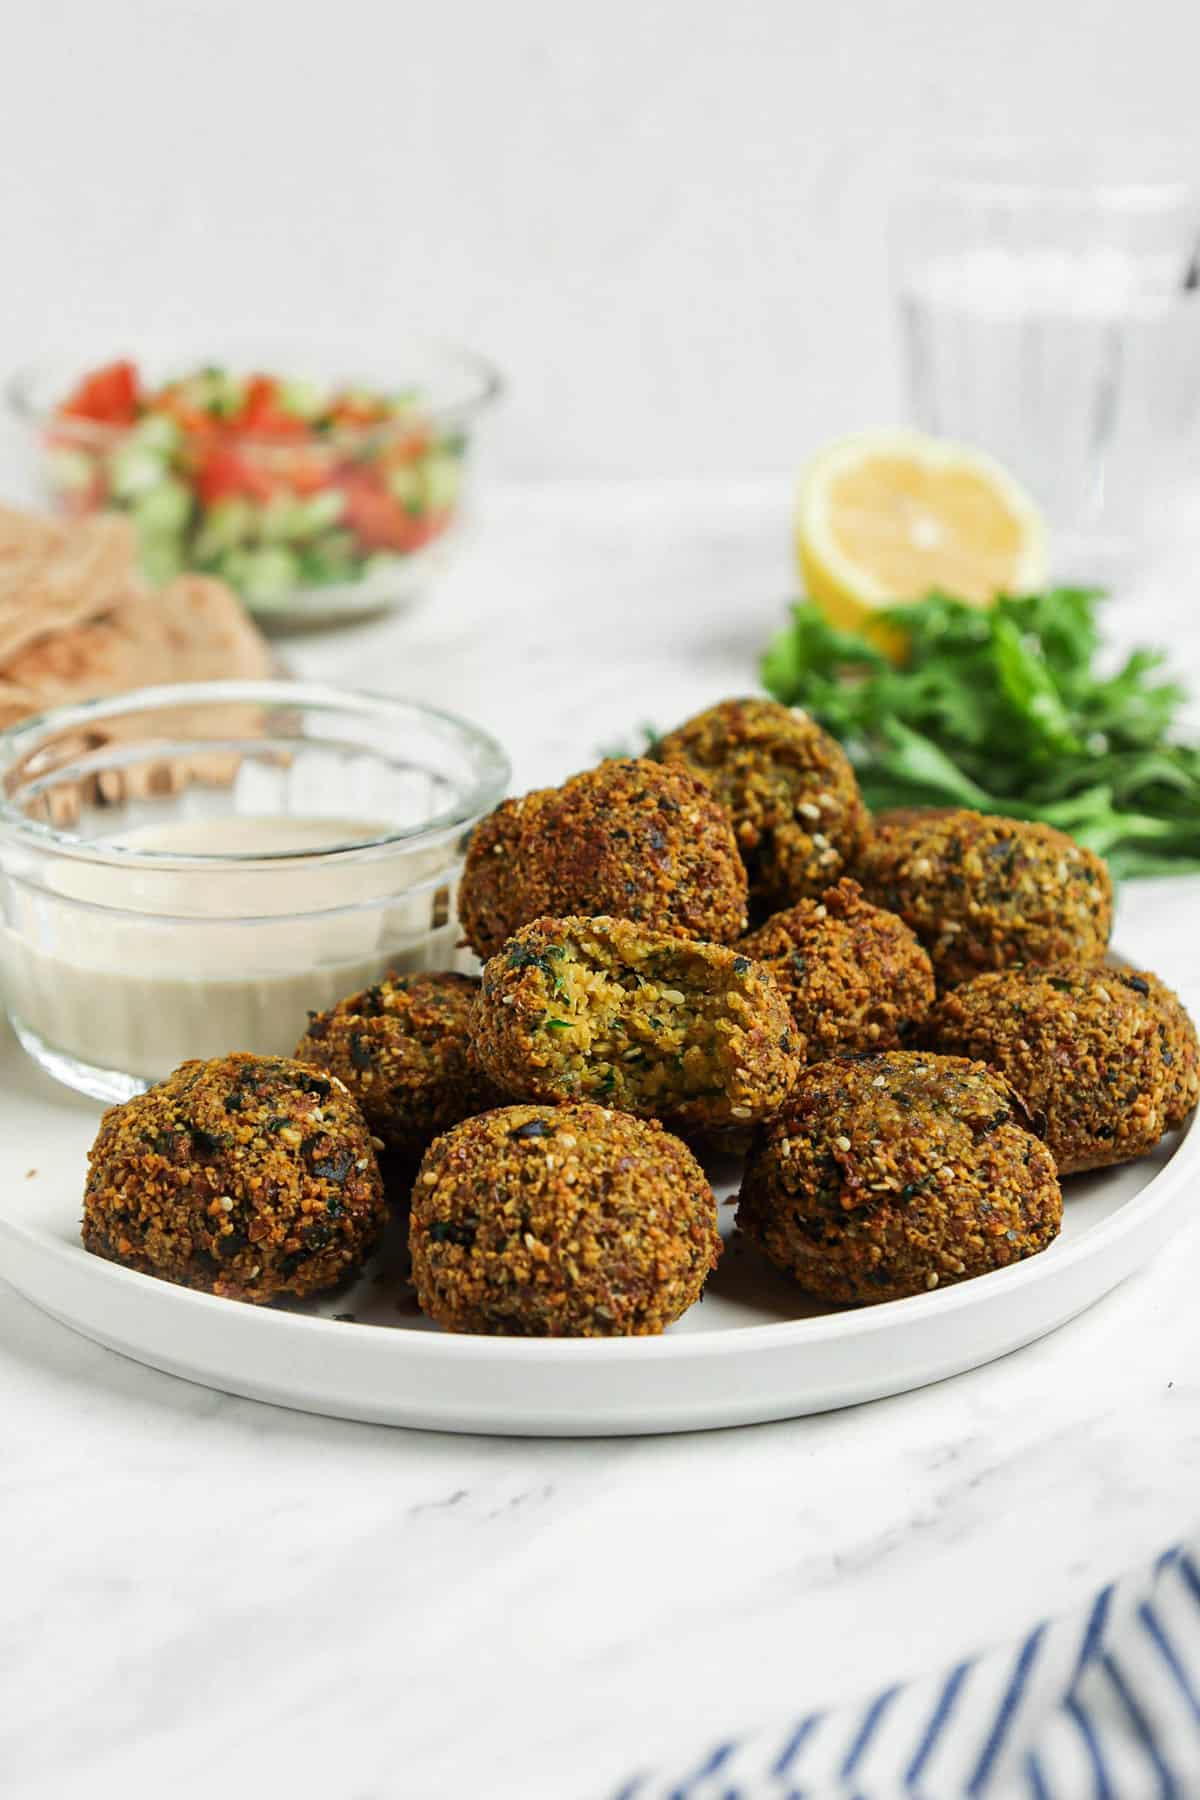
(490, 766)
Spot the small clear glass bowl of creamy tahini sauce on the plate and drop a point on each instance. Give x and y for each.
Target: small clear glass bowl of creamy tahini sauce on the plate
(192, 870)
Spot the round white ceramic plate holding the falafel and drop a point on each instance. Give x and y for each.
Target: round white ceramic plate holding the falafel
(753, 1351)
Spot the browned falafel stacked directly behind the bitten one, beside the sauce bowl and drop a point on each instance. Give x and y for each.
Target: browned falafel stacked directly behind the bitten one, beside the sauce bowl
(631, 840)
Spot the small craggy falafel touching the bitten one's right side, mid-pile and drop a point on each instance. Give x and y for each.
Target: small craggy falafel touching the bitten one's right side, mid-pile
(854, 976)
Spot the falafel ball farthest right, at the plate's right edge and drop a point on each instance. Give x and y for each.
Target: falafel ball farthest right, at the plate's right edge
(1106, 1059)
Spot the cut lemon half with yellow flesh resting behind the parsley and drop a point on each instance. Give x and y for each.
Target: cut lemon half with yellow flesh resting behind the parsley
(886, 517)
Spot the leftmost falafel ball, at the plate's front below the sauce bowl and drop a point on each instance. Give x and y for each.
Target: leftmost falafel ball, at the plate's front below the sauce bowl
(247, 1178)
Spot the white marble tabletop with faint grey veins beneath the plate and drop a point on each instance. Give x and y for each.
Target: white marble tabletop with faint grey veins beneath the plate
(204, 1596)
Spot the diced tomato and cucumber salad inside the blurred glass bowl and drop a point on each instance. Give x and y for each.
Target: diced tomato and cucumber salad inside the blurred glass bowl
(269, 483)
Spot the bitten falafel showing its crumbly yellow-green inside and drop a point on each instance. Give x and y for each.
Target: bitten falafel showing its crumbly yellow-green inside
(598, 1009)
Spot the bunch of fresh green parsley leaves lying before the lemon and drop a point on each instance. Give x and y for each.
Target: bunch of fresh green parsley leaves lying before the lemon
(1005, 710)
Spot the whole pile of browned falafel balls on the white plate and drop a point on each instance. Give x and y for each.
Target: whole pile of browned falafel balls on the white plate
(906, 1023)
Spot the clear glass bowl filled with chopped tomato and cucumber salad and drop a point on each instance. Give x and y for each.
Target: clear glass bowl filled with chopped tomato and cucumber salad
(309, 485)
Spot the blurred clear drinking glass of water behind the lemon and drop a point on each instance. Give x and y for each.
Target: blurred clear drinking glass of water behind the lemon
(1050, 310)
